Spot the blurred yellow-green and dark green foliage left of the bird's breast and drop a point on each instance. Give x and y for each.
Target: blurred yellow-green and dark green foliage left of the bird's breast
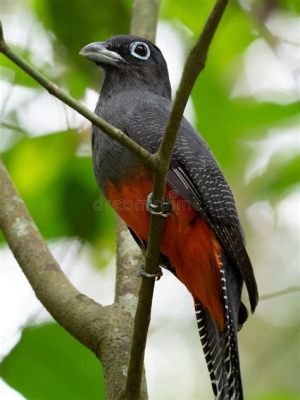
(52, 180)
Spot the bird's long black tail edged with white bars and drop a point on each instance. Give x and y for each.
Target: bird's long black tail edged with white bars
(220, 347)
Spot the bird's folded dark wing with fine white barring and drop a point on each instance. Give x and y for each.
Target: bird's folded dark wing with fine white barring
(207, 190)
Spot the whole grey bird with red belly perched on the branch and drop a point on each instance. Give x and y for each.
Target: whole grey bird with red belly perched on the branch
(203, 242)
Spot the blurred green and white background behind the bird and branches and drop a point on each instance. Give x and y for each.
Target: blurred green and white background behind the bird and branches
(245, 104)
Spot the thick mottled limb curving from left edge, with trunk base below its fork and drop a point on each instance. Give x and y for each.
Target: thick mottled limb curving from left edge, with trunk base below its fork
(107, 331)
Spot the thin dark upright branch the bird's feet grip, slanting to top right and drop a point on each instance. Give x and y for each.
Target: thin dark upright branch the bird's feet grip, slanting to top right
(193, 66)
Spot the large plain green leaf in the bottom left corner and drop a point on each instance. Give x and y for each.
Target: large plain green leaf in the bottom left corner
(50, 364)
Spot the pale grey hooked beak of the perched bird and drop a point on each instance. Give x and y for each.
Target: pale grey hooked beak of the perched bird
(98, 53)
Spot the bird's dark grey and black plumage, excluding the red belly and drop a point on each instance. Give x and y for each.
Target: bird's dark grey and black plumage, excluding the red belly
(135, 97)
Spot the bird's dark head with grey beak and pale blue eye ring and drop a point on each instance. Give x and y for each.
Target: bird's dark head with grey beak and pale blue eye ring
(130, 61)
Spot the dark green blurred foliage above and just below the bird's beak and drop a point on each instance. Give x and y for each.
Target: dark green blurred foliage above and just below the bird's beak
(77, 24)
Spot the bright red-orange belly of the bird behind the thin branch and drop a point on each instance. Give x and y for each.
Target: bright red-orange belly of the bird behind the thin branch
(189, 243)
